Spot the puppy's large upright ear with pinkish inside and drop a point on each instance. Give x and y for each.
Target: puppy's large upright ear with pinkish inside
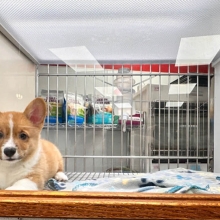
(36, 111)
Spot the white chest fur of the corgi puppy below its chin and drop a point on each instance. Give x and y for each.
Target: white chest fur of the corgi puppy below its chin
(12, 171)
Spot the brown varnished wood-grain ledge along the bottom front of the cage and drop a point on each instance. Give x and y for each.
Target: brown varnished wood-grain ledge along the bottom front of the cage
(77, 205)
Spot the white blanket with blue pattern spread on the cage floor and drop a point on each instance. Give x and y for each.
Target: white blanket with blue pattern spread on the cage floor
(178, 180)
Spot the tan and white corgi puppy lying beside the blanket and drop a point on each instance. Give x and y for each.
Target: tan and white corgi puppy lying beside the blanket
(26, 160)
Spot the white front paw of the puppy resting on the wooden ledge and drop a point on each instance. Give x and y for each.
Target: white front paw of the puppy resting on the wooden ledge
(23, 184)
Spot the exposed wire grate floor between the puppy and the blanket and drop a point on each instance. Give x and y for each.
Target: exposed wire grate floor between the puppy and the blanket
(77, 176)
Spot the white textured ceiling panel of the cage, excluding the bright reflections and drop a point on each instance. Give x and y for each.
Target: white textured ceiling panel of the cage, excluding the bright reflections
(111, 30)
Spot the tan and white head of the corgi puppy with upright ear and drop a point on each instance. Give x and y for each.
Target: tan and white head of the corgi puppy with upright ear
(20, 132)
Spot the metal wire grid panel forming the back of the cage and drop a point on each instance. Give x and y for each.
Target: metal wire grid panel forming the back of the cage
(128, 118)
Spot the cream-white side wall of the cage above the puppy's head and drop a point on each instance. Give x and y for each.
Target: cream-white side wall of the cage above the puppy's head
(17, 76)
